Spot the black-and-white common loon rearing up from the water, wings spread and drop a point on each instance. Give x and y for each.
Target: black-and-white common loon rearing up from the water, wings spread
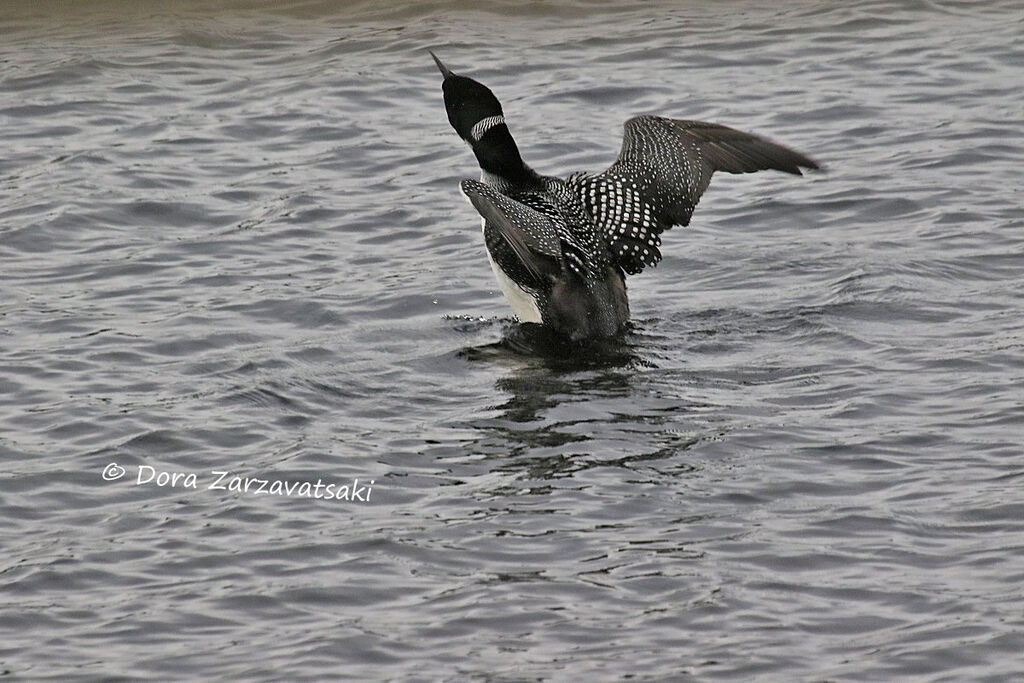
(561, 249)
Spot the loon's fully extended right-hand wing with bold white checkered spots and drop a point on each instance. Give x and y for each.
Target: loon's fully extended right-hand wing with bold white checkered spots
(662, 172)
